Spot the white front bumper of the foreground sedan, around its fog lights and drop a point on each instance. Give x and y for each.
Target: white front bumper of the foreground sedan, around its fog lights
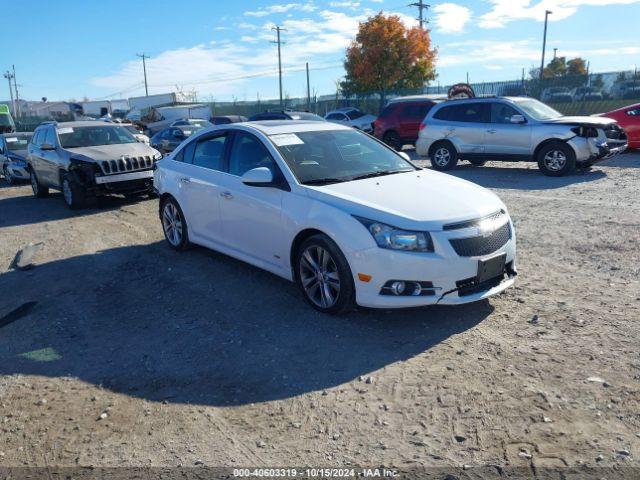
(445, 270)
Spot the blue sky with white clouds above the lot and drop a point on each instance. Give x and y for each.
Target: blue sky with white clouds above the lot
(223, 49)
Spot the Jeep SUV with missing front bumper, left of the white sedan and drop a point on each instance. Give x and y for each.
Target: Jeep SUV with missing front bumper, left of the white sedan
(88, 159)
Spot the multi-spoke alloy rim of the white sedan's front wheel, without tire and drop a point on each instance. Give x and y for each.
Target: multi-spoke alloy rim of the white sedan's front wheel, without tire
(319, 276)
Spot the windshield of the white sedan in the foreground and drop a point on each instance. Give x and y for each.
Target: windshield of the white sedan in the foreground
(334, 156)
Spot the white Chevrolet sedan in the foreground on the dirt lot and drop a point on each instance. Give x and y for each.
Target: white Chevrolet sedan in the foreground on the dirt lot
(351, 221)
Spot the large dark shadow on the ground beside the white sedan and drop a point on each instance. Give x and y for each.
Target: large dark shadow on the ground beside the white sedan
(198, 327)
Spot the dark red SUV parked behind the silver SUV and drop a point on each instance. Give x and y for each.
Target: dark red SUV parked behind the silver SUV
(399, 122)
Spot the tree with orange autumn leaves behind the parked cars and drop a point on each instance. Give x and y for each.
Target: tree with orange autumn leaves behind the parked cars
(387, 56)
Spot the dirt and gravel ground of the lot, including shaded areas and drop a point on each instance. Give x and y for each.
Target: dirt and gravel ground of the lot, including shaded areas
(116, 351)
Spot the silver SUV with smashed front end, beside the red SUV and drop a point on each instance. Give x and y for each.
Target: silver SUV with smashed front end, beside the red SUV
(516, 129)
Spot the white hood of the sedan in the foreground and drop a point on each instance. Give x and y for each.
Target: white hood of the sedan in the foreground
(422, 200)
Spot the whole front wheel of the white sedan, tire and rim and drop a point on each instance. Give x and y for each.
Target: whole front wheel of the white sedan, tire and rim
(323, 276)
